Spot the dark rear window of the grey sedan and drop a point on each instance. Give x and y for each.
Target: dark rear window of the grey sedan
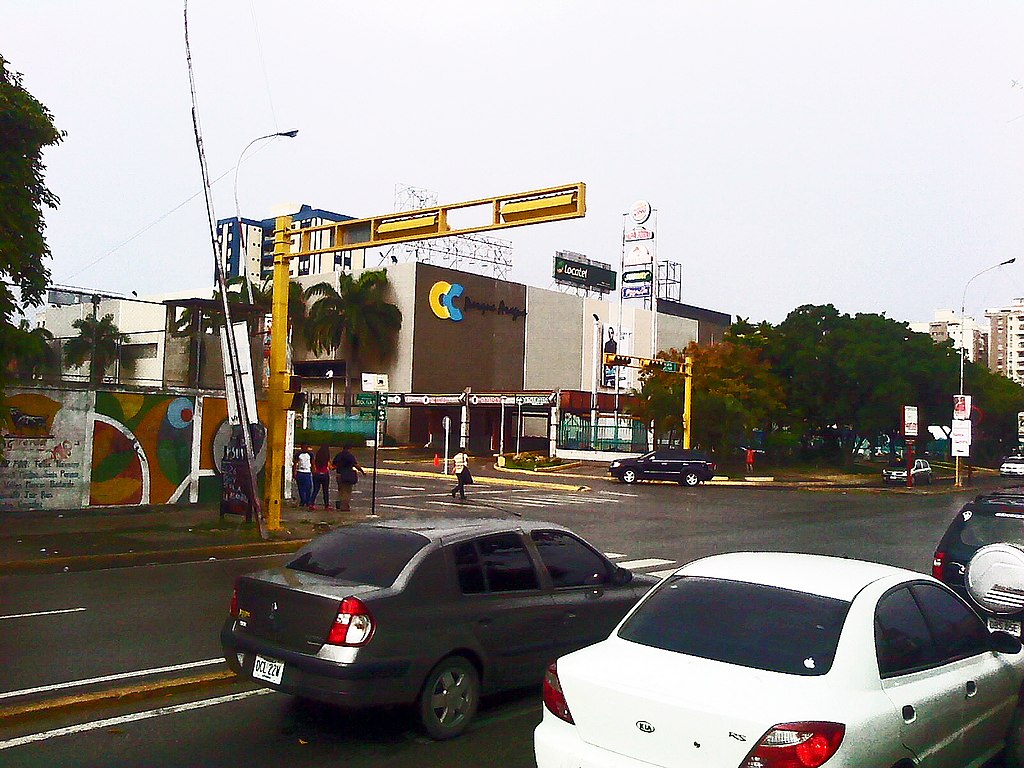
(370, 556)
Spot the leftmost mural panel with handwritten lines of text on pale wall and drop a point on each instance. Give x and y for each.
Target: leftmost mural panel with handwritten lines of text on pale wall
(45, 452)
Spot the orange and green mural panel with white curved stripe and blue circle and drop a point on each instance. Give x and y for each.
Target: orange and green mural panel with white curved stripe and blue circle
(142, 449)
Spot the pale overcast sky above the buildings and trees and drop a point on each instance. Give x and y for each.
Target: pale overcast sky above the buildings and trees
(870, 155)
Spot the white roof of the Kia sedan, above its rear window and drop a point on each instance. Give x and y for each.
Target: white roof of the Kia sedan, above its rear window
(819, 575)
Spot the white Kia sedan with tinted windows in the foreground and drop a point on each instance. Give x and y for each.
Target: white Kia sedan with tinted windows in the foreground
(788, 661)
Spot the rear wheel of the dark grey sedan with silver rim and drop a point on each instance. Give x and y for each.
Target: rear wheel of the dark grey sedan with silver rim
(448, 702)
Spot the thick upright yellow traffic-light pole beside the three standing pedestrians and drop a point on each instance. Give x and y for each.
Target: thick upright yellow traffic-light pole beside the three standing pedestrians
(279, 383)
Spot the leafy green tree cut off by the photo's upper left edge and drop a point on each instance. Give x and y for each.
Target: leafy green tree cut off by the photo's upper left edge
(26, 130)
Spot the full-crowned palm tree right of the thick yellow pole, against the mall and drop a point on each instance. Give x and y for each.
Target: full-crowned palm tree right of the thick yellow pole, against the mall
(355, 316)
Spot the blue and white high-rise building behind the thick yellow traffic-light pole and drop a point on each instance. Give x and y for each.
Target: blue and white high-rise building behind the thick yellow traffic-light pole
(248, 245)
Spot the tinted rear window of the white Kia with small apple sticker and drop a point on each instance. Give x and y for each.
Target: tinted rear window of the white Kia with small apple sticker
(749, 625)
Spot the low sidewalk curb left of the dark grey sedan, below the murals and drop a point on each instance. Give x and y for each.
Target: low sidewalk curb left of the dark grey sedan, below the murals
(127, 560)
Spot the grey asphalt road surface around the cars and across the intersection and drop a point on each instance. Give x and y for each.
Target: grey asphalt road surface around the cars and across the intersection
(138, 619)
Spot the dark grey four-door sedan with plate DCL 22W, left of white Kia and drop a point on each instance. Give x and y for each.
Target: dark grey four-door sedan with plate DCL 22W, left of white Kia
(433, 613)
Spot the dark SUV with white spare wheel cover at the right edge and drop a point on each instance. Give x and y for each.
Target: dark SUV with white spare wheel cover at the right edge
(982, 558)
